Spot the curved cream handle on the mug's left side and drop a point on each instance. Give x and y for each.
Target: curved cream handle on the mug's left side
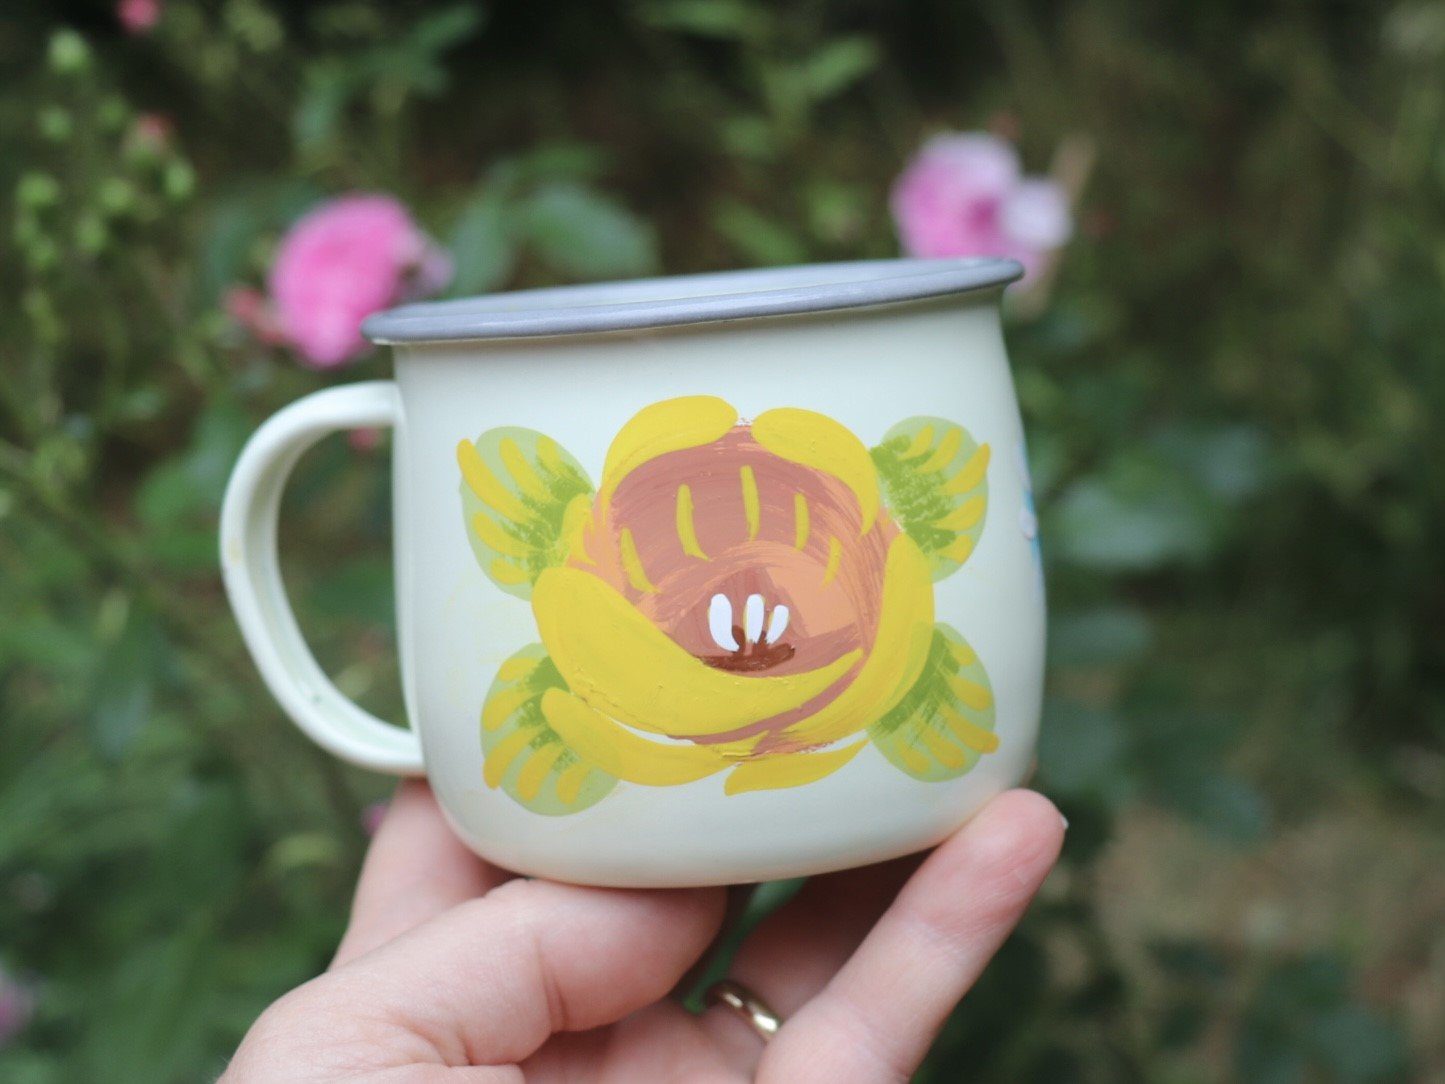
(252, 573)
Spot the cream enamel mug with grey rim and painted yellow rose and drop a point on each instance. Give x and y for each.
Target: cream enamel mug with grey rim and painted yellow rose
(700, 580)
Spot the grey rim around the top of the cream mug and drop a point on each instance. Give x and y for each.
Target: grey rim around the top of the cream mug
(704, 298)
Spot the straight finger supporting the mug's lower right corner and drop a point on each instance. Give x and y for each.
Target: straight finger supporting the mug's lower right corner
(876, 1018)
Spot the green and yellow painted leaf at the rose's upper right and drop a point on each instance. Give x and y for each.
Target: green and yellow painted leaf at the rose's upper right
(936, 483)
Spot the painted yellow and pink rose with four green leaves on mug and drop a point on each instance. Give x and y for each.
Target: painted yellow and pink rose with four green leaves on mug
(754, 599)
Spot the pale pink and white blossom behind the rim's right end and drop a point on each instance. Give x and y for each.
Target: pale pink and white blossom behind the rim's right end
(966, 194)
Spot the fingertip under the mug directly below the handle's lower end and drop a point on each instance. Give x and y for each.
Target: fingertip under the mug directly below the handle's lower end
(414, 871)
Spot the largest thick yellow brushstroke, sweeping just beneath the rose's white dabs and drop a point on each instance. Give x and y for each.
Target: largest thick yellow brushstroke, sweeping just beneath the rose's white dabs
(622, 664)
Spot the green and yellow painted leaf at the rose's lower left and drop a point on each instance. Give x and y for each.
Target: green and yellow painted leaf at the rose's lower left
(522, 754)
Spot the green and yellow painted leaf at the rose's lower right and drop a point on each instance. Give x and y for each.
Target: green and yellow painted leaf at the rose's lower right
(947, 720)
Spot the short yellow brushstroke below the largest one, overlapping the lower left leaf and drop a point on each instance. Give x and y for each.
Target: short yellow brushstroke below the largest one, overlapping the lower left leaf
(611, 747)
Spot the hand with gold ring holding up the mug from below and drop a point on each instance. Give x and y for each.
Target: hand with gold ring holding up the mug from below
(453, 971)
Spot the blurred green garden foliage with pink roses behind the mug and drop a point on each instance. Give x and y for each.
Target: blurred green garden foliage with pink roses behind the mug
(1230, 355)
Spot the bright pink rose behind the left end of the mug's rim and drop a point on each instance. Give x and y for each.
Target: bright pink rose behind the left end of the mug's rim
(343, 262)
